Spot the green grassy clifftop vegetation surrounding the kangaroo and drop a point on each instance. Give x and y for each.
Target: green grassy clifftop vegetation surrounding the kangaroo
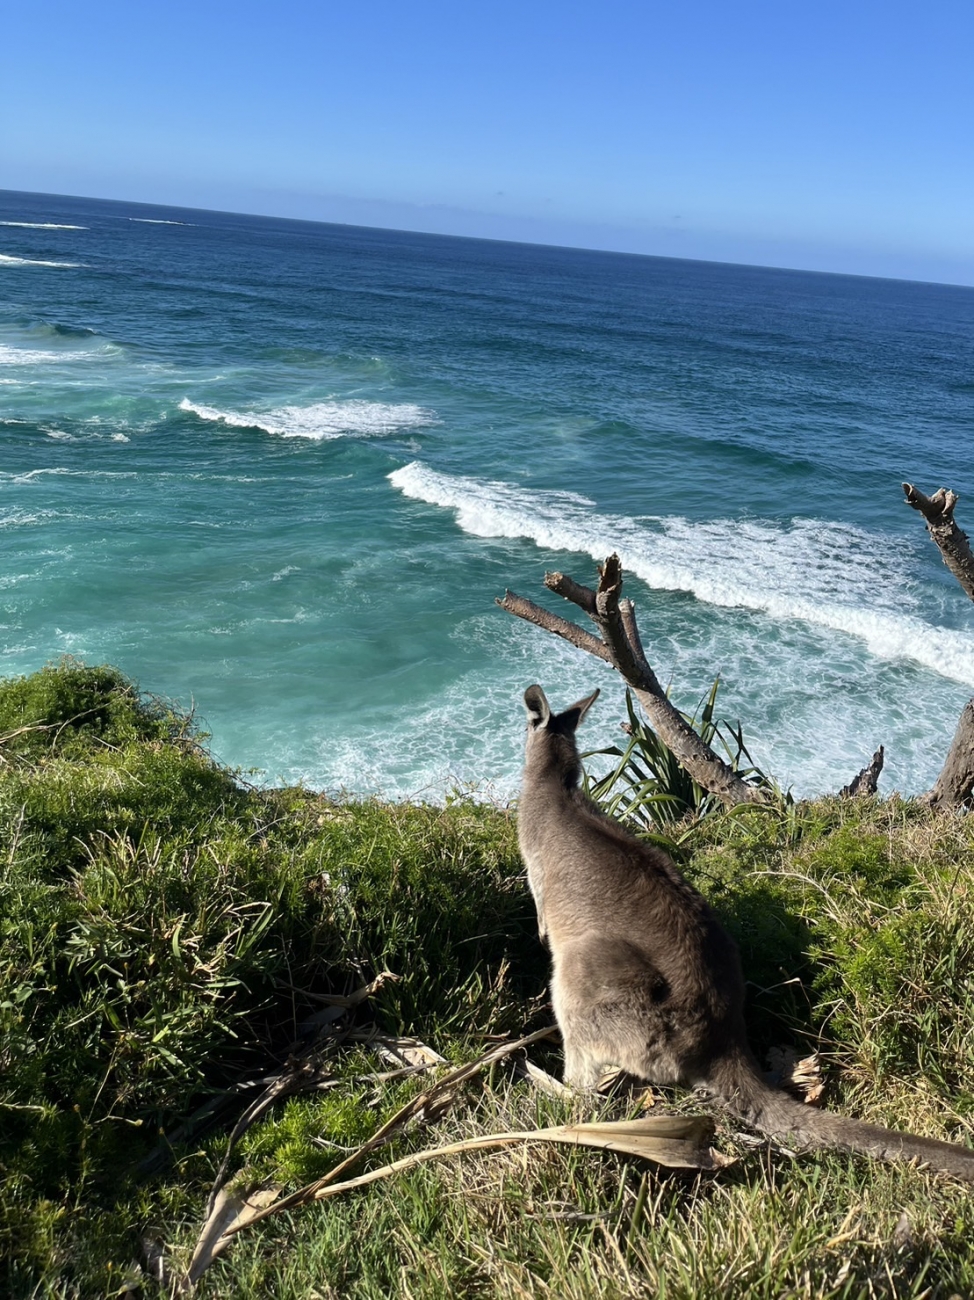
(165, 930)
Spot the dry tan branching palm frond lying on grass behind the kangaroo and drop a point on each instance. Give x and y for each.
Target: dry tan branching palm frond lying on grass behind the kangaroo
(674, 1142)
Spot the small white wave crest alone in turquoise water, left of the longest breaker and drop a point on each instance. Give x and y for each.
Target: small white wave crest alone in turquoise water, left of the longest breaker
(323, 421)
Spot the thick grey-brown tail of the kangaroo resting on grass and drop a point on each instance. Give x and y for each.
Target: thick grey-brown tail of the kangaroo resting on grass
(737, 1082)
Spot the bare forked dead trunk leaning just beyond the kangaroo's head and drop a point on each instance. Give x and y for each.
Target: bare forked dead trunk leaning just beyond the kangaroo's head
(620, 645)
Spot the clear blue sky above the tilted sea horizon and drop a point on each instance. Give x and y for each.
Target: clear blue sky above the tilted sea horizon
(826, 136)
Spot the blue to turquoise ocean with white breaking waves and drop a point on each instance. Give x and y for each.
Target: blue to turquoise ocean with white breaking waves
(284, 469)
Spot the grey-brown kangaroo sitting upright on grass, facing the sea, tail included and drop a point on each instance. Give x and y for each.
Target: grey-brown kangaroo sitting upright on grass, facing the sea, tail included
(644, 976)
